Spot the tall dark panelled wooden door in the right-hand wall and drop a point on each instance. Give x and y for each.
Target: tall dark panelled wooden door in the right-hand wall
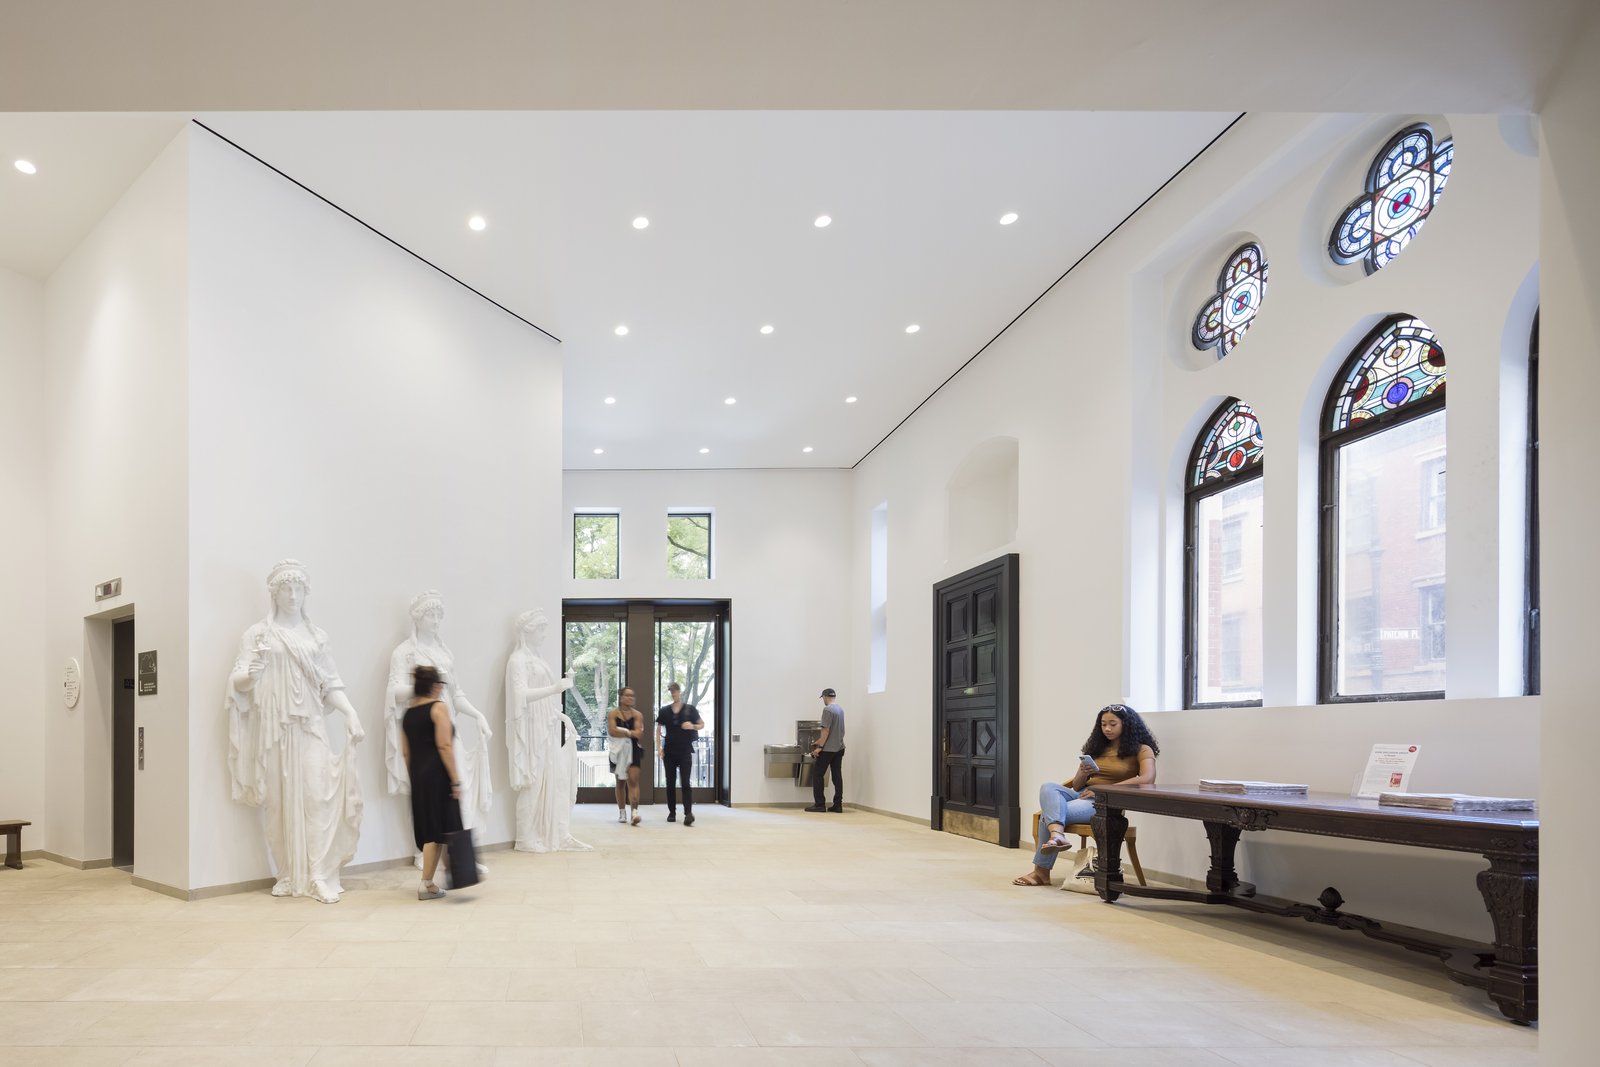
(975, 706)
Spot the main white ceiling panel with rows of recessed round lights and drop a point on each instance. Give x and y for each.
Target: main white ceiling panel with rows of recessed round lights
(916, 201)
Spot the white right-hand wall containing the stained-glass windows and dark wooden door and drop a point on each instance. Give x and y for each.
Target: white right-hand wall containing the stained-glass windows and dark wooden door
(1105, 396)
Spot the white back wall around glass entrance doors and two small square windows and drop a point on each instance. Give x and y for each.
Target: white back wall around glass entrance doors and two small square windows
(783, 551)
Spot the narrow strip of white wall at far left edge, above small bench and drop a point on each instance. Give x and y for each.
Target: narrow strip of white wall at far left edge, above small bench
(22, 577)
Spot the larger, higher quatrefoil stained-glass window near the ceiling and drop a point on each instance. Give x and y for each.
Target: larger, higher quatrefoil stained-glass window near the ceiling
(1404, 185)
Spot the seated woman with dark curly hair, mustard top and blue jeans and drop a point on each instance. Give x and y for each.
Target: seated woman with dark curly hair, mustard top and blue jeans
(1124, 751)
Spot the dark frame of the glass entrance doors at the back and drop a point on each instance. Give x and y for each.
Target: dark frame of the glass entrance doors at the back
(639, 620)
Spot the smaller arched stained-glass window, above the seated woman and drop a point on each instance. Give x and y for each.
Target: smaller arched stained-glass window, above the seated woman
(1223, 577)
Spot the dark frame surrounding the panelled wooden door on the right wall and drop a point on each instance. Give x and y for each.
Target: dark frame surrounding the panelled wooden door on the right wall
(1007, 706)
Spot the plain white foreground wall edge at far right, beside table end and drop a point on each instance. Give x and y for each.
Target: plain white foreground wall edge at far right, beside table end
(1569, 444)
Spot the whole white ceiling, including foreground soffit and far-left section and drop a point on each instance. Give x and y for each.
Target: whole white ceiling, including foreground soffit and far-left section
(730, 194)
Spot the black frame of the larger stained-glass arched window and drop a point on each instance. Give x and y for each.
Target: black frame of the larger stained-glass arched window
(1329, 506)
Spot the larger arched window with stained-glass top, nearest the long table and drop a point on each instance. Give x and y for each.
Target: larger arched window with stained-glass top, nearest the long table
(1383, 519)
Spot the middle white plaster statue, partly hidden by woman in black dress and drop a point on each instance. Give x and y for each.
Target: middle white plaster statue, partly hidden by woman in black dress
(473, 759)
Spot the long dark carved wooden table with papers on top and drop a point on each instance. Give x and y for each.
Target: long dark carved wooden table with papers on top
(1510, 969)
